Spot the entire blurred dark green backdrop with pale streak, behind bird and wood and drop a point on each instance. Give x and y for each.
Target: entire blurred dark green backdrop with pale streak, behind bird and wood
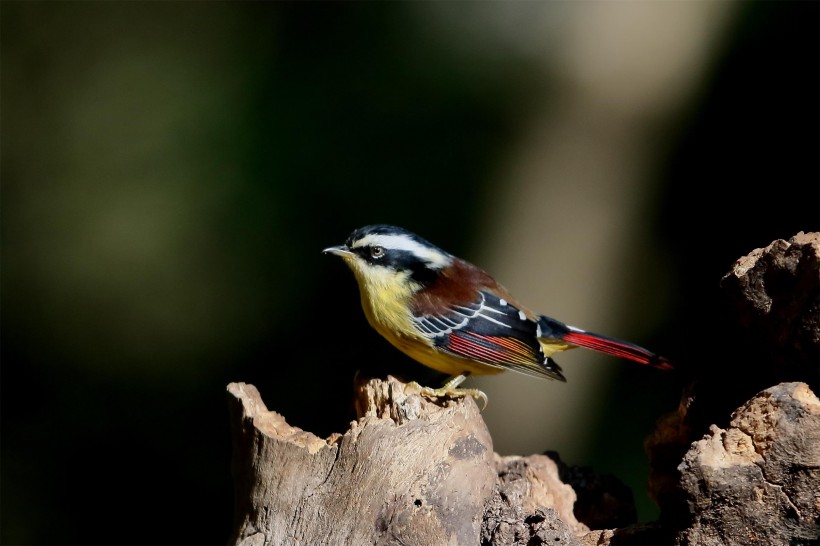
(172, 170)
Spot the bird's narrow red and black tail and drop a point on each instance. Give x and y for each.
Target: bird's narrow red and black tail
(551, 328)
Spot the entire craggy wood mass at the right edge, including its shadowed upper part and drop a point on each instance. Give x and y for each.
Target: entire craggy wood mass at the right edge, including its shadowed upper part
(715, 484)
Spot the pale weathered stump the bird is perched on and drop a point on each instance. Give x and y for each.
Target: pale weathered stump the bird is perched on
(407, 472)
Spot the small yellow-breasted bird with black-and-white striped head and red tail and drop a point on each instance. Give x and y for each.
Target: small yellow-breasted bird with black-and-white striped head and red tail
(452, 316)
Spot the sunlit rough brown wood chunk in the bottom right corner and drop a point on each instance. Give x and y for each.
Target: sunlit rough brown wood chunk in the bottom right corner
(758, 481)
